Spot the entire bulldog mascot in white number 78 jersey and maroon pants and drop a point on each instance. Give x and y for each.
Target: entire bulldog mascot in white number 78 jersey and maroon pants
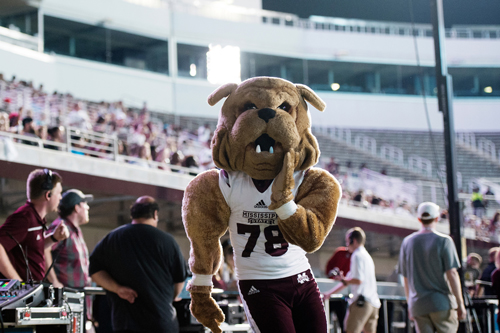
(276, 206)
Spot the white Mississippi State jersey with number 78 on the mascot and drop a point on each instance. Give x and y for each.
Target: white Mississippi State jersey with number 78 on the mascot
(260, 251)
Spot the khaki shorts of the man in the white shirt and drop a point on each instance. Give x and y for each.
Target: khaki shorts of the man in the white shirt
(360, 319)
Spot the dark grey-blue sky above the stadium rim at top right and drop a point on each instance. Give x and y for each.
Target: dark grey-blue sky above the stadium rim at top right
(481, 12)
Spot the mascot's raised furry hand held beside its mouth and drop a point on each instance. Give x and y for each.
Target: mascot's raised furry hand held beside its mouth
(284, 183)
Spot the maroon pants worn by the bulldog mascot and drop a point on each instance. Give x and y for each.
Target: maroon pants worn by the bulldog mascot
(287, 305)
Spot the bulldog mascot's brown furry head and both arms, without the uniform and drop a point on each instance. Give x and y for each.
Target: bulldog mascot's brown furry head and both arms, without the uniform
(263, 131)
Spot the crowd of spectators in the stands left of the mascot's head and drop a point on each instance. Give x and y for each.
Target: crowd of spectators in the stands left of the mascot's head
(141, 137)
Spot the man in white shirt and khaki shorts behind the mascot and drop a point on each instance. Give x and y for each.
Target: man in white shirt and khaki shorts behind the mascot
(364, 305)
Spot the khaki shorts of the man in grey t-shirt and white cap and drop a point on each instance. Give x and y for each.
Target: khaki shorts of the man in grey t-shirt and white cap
(441, 322)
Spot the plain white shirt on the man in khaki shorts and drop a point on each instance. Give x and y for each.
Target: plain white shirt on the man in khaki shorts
(363, 269)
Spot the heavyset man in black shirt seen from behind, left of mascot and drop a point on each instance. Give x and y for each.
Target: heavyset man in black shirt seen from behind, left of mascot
(143, 270)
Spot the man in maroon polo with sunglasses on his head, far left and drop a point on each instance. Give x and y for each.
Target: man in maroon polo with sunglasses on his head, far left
(25, 229)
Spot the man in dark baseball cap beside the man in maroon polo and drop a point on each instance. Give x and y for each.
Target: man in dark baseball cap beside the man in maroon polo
(71, 256)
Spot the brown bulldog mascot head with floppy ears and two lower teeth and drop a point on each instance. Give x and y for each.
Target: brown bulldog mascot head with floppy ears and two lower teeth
(261, 119)
